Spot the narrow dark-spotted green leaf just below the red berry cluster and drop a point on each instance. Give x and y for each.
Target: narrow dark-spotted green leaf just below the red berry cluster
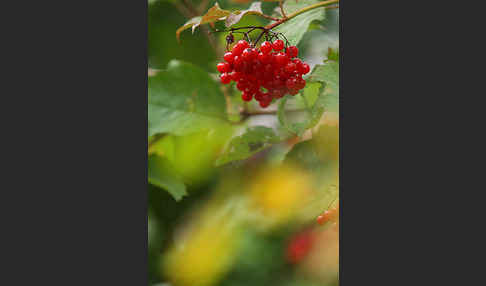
(254, 140)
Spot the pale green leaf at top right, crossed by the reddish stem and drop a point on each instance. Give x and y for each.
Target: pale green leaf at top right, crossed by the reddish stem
(295, 28)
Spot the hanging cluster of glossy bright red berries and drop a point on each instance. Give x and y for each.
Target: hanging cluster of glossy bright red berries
(279, 72)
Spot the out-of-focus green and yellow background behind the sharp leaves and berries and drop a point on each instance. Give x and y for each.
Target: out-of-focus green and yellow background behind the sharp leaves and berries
(250, 222)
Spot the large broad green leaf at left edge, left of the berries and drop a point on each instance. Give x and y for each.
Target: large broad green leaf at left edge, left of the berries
(184, 99)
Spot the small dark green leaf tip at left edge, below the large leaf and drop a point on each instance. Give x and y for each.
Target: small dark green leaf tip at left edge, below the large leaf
(161, 174)
